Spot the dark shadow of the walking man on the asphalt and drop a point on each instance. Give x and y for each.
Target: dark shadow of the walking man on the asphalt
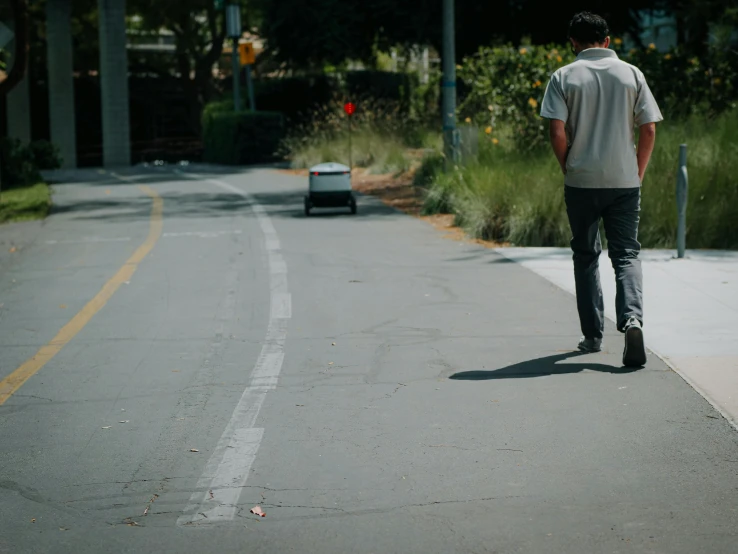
(540, 367)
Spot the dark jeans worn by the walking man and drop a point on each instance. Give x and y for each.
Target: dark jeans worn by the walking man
(620, 211)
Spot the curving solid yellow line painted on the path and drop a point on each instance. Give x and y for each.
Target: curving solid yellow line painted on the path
(15, 380)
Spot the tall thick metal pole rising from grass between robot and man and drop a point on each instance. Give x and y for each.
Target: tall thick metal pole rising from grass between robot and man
(450, 135)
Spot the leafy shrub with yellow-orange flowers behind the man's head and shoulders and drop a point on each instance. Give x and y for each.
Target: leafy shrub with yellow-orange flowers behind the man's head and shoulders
(504, 86)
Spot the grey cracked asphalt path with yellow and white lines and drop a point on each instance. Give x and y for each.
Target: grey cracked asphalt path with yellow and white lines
(370, 384)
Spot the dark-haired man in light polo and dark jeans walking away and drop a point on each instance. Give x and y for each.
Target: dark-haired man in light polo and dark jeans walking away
(594, 105)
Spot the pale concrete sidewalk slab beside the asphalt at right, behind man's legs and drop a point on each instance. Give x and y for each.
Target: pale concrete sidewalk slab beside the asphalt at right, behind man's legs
(691, 312)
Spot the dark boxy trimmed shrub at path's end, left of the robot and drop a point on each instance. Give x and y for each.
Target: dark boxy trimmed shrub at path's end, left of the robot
(241, 138)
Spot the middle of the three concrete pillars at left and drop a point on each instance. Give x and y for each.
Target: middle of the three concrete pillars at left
(61, 81)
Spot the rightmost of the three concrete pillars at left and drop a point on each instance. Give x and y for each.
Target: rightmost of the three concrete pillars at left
(114, 83)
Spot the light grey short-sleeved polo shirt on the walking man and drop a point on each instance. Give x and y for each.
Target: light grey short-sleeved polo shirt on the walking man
(601, 99)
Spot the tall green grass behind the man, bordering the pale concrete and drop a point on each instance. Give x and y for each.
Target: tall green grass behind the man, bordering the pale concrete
(517, 197)
